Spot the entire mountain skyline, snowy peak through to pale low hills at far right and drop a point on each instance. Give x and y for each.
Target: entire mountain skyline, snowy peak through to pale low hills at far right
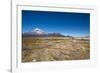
(40, 33)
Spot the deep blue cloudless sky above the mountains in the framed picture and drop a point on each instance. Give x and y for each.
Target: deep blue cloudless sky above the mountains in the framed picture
(66, 23)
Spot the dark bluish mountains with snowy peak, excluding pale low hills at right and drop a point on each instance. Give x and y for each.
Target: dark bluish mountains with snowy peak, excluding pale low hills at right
(40, 33)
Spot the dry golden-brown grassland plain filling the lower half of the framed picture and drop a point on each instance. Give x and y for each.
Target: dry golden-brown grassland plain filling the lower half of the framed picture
(36, 49)
